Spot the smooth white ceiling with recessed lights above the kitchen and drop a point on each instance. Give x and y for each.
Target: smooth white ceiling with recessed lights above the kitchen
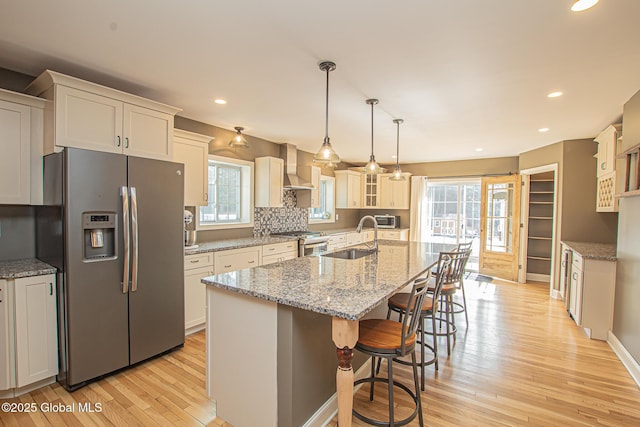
(463, 74)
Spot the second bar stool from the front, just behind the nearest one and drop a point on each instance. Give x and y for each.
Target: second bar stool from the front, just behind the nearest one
(399, 302)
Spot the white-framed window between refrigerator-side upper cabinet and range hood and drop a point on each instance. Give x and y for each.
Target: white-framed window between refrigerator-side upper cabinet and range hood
(230, 194)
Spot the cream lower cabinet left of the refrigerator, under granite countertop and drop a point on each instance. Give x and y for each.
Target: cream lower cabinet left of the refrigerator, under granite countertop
(28, 335)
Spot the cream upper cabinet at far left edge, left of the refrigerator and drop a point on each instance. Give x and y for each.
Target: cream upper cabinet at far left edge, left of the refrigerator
(21, 136)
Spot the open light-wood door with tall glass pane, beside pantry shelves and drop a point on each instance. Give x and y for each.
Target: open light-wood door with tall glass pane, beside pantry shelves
(499, 230)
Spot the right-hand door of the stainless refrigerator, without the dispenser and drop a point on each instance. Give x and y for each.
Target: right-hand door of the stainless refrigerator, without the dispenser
(156, 296)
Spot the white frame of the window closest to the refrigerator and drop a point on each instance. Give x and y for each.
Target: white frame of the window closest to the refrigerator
(246, 195)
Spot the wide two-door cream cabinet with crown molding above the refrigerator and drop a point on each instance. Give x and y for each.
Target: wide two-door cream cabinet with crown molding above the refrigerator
(90, 116)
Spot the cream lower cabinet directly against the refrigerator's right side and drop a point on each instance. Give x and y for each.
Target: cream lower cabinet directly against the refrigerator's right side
(195, 268)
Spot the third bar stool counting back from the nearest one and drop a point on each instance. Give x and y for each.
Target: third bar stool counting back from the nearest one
(452, 281)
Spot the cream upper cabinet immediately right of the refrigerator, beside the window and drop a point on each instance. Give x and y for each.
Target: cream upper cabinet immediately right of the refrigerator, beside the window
(192, 150)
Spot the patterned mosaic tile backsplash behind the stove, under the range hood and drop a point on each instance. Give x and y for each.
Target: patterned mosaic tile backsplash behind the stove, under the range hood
(278, 220)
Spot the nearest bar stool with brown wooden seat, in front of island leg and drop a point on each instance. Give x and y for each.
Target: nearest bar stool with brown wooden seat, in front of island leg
(388, 339)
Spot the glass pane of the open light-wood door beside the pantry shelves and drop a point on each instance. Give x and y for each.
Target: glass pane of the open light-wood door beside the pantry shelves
(500, 208)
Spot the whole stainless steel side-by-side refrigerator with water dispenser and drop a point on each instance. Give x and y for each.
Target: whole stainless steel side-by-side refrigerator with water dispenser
(113, 226)
